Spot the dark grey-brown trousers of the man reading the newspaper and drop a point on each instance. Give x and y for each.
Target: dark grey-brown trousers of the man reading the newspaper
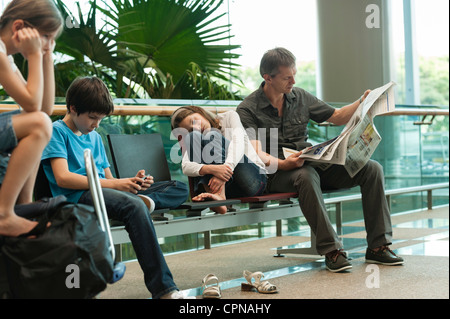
(309, 181)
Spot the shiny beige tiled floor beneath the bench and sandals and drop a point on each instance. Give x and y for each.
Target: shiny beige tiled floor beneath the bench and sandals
(420, 237)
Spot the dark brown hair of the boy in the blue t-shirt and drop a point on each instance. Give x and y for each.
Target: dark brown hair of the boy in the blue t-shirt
(89, 94)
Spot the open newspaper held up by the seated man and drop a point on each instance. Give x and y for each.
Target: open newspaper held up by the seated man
(358, 139)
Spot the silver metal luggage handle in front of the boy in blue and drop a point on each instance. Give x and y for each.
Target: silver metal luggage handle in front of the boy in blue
(97, 197)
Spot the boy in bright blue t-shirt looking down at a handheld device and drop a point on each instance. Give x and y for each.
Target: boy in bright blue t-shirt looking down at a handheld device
(88, 102)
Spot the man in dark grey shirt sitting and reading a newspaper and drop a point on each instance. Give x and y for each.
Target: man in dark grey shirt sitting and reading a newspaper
(278, 114)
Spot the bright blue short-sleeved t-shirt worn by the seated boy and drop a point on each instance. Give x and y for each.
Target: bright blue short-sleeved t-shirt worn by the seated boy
(68, 145)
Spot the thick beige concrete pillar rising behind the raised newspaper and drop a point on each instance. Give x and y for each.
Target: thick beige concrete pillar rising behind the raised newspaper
(354, 50)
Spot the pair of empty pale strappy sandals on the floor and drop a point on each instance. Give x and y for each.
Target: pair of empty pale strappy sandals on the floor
(211, 288)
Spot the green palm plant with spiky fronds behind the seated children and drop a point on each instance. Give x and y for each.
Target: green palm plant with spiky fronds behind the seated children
(164, 48)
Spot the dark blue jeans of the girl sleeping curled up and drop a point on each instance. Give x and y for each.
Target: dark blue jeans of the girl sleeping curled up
(212, 149)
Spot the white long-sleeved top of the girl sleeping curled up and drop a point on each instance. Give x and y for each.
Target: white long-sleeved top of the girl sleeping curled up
(232, 129)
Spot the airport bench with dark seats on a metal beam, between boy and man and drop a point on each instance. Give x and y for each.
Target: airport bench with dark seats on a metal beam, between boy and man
(147, 152)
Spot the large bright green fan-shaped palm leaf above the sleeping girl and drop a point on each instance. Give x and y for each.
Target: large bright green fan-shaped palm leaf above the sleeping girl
(171, 34)
